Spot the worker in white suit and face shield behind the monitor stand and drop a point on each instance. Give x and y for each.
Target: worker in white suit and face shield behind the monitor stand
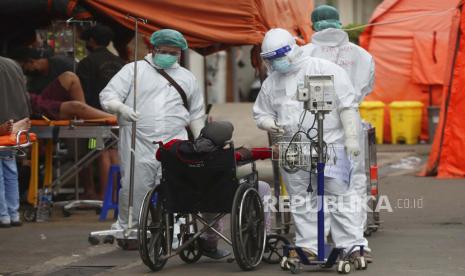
(277, 110)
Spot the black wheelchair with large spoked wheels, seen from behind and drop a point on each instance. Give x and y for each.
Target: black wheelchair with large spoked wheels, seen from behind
(207, 184)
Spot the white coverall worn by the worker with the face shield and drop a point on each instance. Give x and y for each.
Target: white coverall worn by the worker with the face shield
(277, 101)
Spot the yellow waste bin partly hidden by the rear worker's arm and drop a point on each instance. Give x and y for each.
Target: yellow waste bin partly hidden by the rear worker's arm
(373, 112)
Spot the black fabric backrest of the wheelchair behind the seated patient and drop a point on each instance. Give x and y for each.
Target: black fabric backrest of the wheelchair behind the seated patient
(193, 182)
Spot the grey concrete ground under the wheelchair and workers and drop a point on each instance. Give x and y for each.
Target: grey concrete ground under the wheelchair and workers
(423, 235)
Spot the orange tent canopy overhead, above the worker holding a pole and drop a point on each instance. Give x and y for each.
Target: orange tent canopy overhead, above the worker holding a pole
(210, 23)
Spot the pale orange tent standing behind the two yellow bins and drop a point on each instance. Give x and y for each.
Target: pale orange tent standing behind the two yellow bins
(408, 41)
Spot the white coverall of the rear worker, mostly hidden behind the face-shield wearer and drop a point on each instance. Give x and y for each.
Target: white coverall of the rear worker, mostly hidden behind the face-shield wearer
(333, 45)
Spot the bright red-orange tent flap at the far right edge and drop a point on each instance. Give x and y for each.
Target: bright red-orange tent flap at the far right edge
(446, 157)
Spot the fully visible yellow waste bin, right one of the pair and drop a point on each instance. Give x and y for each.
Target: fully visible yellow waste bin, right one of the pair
(405, 121)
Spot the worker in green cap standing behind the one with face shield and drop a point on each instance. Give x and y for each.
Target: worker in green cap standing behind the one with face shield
(331, 43)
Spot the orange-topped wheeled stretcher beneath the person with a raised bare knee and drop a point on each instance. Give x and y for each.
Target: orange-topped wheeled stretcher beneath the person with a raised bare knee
(48, 131)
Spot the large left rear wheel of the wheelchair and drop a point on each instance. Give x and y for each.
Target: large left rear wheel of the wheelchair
(152, 232)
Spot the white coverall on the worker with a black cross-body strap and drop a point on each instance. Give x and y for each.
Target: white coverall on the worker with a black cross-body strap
(161, 117)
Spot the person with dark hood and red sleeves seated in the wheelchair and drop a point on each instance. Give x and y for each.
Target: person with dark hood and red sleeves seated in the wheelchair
(214, 137)
